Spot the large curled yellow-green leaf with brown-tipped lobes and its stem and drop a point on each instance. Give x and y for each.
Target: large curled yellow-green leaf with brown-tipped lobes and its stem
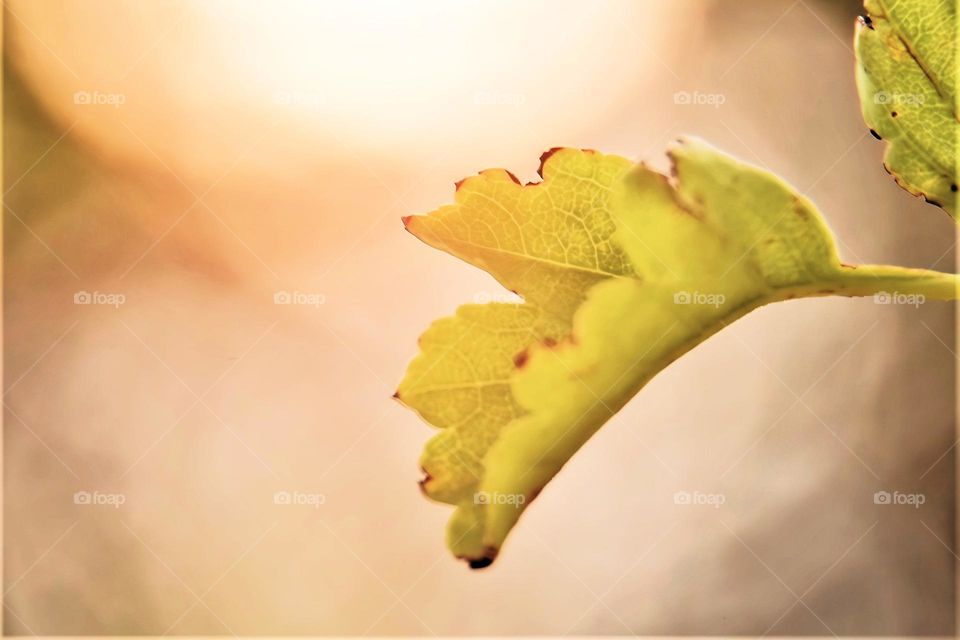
(622, 270)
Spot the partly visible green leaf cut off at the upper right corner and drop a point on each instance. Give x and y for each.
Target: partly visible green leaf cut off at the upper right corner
(907, 77)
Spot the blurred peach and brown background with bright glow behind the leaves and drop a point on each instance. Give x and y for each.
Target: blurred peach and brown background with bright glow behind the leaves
(209, 299)
